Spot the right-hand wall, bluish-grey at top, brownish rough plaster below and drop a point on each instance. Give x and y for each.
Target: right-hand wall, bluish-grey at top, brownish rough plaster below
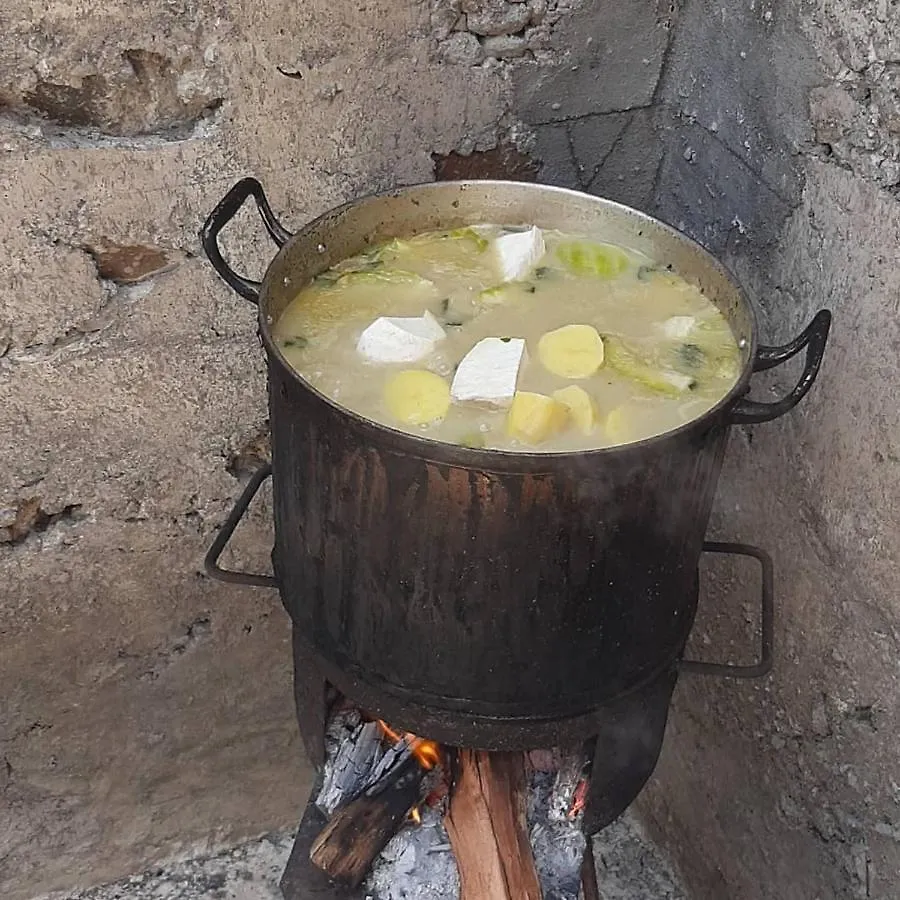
(782, 156)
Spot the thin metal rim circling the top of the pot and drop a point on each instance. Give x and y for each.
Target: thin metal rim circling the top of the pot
(482, 459)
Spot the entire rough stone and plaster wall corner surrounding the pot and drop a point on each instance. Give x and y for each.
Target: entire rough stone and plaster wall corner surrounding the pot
(132, 403)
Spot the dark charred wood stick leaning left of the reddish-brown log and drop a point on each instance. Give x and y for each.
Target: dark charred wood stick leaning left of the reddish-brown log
(360, 830)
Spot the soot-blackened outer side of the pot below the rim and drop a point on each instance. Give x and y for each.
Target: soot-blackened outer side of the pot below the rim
(539, 593)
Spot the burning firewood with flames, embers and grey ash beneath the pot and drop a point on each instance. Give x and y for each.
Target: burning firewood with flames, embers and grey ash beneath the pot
(493, 819)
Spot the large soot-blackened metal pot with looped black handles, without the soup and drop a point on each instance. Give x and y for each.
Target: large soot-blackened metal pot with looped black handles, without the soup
(447, 588)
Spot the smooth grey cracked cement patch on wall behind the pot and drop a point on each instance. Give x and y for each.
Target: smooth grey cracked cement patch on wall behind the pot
(595, 115)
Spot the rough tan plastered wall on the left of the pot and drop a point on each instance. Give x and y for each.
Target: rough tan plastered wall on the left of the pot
(144, 709)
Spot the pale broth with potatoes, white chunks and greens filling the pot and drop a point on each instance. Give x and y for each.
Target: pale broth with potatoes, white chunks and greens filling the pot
(511, 339)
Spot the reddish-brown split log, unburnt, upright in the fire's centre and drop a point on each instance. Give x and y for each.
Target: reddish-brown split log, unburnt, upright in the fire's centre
(487, 828)
